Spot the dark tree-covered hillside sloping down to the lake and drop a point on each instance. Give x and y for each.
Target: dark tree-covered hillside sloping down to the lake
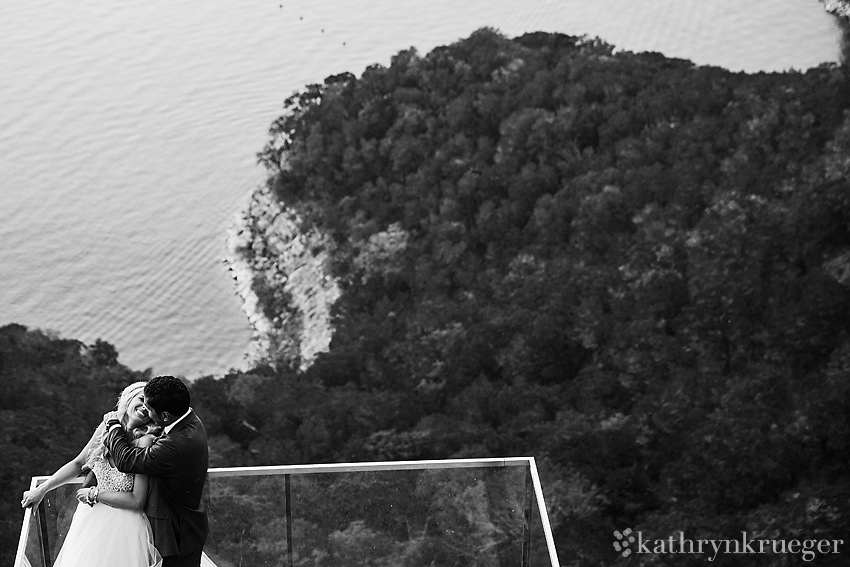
(632, 268)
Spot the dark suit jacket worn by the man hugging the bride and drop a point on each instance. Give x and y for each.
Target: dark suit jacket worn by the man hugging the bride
(176, 463)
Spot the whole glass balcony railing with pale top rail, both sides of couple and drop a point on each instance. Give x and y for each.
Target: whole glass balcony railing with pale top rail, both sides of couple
(384, 514)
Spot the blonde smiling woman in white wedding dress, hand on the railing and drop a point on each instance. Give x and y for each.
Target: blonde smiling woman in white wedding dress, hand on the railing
(109, 527)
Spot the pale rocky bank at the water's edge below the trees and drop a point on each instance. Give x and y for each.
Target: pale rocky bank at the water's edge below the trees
(270, 253)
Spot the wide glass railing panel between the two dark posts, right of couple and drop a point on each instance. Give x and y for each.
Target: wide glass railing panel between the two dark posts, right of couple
(463, 517)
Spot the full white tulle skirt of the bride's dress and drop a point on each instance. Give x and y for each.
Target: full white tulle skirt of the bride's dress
(102, 536)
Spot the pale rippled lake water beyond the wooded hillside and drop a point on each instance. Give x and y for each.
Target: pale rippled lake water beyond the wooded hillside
(129, 128)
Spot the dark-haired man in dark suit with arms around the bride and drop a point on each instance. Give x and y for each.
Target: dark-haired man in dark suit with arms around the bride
(176, 463)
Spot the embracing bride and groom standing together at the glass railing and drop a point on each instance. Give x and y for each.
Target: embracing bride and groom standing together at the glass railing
(150, 460)
